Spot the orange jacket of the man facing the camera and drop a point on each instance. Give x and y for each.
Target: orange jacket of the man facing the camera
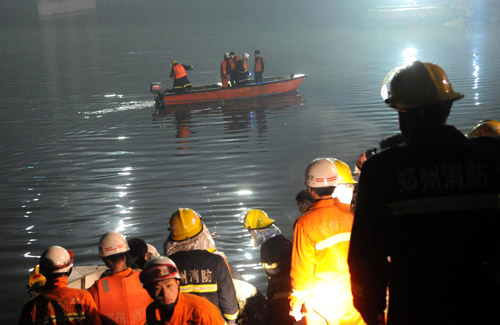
(189, 309)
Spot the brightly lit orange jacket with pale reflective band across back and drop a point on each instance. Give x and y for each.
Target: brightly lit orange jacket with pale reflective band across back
(321, 243)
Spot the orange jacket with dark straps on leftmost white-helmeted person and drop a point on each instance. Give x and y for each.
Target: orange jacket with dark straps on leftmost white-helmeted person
(61, 305)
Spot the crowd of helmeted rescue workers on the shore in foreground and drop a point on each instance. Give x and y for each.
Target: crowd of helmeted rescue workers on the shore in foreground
(413, 242)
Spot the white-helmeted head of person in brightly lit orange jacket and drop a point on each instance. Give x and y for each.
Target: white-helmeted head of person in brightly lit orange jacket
(321, 177)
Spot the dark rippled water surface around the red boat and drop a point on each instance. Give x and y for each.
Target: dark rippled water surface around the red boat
(83, 152)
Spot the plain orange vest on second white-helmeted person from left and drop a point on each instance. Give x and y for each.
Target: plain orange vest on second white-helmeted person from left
(121, 298)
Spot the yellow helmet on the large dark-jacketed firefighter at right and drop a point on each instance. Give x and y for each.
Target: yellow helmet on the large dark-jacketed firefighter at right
(416, 85)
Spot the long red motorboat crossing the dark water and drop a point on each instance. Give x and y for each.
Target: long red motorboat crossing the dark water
(215, 92)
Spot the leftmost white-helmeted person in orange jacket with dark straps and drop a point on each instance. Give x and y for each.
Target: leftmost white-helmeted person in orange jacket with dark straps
(58, 303)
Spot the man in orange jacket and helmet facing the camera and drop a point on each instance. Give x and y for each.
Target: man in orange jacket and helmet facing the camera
(161, 279)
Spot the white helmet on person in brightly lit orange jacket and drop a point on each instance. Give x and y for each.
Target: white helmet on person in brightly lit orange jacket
(321, 172)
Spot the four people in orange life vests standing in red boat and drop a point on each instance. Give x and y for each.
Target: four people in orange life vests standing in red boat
(233, 71)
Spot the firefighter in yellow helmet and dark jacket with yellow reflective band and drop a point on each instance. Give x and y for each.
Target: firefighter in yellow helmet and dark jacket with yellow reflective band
(202, 271)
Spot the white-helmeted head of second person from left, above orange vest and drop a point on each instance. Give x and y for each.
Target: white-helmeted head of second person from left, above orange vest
(113, 248)
